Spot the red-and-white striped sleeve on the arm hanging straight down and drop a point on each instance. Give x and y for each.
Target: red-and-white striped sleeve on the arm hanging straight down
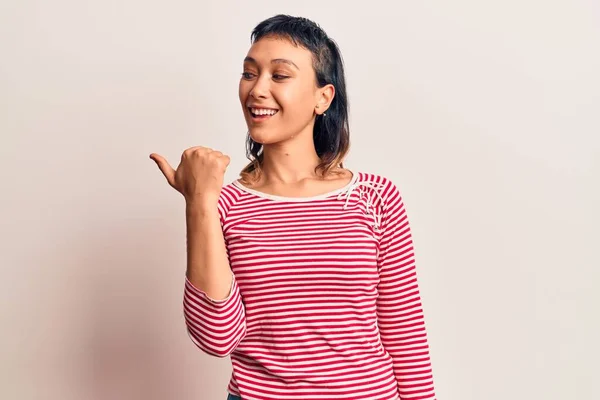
(399, 310)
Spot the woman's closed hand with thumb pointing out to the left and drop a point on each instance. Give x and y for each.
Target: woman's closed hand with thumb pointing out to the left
(199, 176)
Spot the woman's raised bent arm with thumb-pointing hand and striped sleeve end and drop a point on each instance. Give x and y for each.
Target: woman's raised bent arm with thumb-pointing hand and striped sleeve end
(212, 304)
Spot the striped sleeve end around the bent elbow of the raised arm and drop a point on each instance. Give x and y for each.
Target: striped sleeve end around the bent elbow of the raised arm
(216, 327)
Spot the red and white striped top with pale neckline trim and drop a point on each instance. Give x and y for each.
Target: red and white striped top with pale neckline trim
(324, 302)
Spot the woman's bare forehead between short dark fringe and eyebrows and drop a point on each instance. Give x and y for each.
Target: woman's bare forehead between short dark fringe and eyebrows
(270, 48)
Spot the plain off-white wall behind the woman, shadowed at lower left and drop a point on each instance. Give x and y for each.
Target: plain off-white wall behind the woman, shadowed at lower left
(485, 114)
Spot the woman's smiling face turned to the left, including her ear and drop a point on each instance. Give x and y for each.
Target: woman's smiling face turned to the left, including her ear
(278, 91)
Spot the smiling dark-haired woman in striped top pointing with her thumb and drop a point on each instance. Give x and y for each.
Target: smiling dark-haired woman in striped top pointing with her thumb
(302, 271)
